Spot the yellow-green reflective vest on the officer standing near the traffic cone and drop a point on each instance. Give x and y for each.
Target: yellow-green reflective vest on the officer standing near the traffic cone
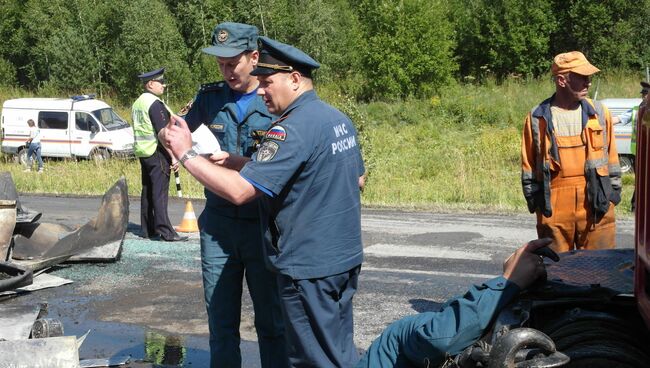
(144, 134)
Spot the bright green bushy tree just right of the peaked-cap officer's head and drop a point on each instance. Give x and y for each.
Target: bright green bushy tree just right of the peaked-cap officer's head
(407, 48)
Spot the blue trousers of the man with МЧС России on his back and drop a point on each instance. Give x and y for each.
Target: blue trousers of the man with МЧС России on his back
(318, 319)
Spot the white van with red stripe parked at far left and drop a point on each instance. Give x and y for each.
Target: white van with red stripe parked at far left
(80, 126)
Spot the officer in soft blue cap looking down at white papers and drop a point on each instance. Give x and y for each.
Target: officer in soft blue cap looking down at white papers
(231, 241)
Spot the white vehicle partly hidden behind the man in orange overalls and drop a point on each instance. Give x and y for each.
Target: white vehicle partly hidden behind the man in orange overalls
(623, 130)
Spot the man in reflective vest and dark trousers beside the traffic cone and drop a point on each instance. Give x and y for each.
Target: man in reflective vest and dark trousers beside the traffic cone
(150, 115)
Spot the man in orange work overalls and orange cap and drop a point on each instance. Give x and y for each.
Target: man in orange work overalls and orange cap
(570, 172)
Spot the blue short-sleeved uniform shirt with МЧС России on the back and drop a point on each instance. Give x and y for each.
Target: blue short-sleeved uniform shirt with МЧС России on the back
(309, 165)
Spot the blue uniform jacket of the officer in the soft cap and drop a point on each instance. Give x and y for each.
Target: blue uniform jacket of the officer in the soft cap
(215, 105)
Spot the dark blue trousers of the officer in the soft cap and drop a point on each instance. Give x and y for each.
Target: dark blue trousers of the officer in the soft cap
(231, 249)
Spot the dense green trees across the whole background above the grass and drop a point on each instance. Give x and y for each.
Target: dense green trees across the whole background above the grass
(369, 49)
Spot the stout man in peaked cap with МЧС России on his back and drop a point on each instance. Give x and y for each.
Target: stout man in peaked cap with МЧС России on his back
(307, 171)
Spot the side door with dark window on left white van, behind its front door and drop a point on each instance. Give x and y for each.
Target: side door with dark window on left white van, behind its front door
(55, 136)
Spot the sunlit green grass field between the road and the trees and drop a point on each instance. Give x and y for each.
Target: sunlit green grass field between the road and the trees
(456, 151)
